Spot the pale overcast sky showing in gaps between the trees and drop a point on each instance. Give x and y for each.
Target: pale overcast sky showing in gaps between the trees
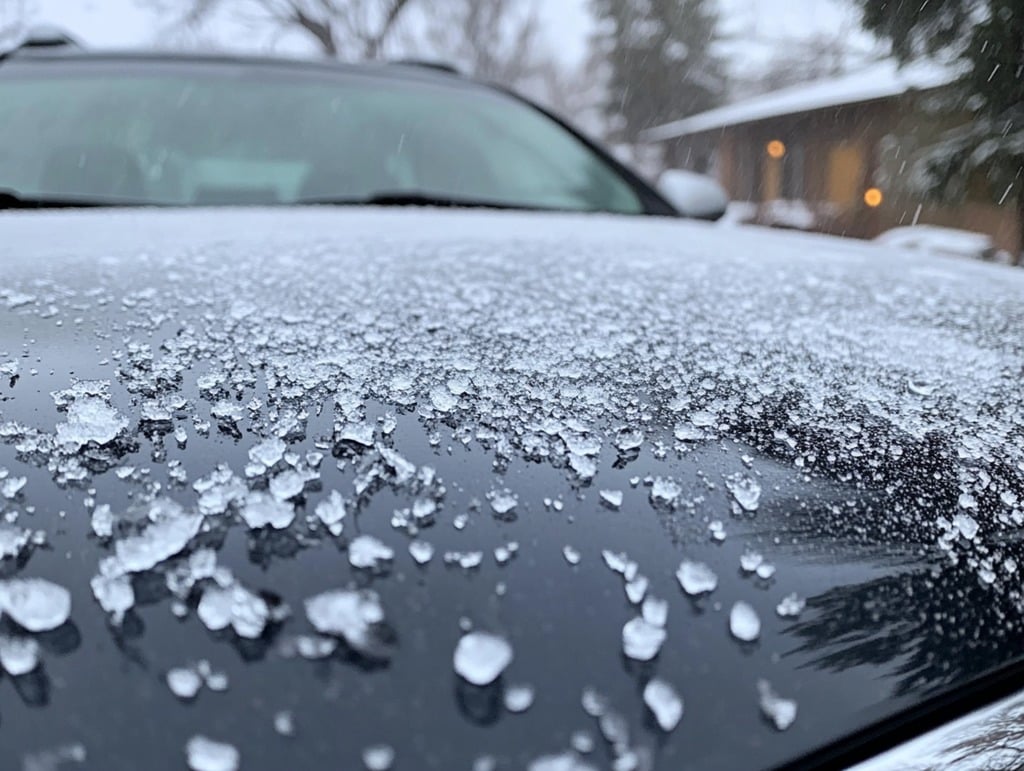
(755, 27)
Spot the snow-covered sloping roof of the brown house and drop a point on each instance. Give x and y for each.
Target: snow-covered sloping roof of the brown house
(879, 81)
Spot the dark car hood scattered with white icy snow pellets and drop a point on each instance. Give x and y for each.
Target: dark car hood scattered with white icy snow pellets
(423, 483)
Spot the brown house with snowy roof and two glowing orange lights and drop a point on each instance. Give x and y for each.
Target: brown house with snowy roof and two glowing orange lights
(834, 155)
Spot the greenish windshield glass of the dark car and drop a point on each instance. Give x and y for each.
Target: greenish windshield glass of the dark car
(200, 137)
